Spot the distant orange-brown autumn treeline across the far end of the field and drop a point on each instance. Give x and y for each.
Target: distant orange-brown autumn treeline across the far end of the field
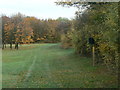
(21, 29)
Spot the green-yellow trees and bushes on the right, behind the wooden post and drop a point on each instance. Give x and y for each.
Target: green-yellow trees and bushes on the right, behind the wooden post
(99, 21)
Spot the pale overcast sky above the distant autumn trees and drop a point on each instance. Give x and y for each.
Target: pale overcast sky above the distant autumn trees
(39, 8)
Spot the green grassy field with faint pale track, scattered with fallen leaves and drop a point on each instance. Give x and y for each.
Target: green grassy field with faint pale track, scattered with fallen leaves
(49, 66)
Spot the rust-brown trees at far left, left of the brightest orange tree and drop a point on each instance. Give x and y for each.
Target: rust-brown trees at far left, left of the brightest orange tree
(10, 29)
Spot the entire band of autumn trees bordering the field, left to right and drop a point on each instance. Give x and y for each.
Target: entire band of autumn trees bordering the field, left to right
(99, 21)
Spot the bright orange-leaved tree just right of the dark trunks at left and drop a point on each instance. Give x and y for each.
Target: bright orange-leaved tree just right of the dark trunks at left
(24, 31)
